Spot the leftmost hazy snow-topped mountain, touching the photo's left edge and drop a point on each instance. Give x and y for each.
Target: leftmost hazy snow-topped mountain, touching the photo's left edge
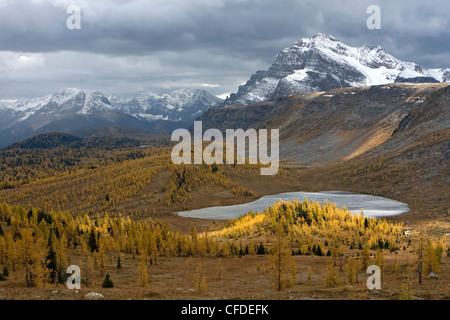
(67, 111)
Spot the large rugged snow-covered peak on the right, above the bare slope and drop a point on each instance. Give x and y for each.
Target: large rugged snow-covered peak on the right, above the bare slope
(323, 63)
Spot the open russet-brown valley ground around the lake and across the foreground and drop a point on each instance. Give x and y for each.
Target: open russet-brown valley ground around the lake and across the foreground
(247, 277)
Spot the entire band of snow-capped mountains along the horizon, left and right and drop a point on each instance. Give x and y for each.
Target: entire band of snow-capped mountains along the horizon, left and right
(316, 64)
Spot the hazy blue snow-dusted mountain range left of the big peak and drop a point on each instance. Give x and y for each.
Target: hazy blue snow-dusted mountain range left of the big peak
(76, 111)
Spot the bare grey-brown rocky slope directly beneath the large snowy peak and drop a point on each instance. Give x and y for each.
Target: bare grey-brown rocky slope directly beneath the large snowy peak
(334, 126)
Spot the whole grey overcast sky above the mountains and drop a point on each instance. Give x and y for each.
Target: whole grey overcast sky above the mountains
(125, 46)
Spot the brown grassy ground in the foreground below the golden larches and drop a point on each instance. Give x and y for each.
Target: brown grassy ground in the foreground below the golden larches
(247, 277)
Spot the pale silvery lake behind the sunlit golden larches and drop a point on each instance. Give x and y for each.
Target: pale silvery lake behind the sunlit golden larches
(372, 206)
